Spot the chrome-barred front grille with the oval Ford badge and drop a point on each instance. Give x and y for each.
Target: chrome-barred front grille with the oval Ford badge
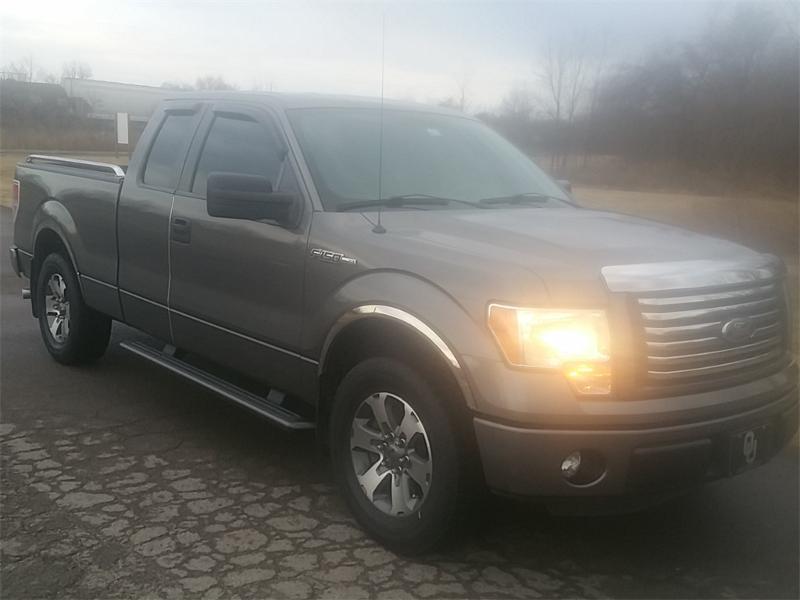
(686, 349)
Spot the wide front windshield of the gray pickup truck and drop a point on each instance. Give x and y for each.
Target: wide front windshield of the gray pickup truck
(424, 154)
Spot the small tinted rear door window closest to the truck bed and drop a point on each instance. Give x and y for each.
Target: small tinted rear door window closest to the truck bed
(167, 153)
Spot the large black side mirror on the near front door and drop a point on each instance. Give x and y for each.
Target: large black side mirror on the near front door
(242, 196)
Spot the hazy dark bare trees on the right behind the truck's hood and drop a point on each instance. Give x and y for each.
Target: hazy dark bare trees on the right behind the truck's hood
(725, 103)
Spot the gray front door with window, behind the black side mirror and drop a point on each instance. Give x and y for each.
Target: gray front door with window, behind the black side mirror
(236, 291)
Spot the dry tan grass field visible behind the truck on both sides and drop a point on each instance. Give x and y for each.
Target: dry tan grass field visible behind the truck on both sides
(768, 224)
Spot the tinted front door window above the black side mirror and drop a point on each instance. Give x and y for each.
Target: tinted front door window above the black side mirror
(238, 145)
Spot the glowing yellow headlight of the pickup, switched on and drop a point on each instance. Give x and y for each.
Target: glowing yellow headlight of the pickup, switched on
(573, 341)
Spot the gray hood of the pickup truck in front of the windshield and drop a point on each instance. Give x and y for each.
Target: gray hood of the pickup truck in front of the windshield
(564, 248)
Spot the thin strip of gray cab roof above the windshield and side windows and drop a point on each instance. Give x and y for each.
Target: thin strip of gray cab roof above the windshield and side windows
(292, 101)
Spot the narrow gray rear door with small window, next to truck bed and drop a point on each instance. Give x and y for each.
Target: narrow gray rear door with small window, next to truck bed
(143, 218)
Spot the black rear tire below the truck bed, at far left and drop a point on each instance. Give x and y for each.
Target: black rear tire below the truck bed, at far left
(88, 332)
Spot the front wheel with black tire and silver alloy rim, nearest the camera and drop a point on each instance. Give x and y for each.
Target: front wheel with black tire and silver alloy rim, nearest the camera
(398, 456)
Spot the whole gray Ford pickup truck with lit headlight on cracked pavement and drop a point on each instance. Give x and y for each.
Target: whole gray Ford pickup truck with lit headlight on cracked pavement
(406, 282)
